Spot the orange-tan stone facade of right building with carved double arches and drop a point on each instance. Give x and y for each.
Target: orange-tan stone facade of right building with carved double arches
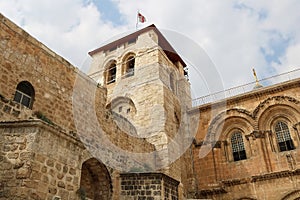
(217, 175)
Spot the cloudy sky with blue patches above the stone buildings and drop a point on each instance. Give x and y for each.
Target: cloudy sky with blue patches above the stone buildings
(236, 35)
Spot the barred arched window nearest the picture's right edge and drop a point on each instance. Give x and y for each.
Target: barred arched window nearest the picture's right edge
(284, 140)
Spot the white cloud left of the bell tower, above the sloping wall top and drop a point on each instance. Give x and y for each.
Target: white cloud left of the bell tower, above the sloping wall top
(70, 28)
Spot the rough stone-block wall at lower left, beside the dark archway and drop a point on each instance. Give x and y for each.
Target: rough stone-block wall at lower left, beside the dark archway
(34, 165)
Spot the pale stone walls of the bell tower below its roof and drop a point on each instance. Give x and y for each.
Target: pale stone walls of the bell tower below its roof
(158, 93)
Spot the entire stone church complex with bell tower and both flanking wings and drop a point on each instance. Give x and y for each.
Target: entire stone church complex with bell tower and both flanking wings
(128, 129)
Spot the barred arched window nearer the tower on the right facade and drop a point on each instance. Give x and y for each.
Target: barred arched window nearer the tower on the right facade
(238, 148)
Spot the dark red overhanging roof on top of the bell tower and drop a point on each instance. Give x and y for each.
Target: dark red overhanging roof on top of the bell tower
(162, 42)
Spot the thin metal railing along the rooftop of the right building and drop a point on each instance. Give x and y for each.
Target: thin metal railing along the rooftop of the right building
(246, 88)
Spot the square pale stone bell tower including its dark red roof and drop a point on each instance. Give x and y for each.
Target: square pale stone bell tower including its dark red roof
(146, 86)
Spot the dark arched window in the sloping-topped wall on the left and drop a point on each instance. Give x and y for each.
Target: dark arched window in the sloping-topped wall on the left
(24, 94)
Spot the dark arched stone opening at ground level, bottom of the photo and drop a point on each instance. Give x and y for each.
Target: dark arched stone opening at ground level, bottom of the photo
(95, 181)
